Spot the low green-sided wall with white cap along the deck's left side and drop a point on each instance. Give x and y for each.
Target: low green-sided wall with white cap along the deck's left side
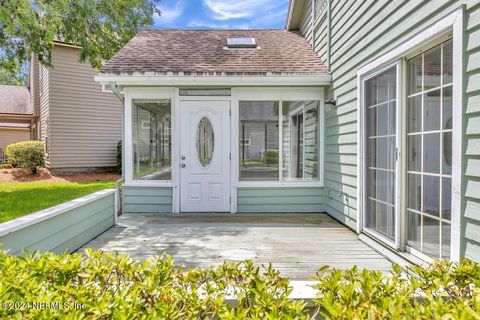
(67, 226)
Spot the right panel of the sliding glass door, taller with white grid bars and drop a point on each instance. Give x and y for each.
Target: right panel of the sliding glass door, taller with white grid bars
(429, 152)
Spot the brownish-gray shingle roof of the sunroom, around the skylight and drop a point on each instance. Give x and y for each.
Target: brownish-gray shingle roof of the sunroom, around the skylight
(193, 52)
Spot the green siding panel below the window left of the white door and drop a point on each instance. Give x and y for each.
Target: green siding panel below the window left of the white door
(147, 199)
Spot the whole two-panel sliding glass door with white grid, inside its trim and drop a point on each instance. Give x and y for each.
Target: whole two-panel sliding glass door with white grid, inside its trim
(406, 190)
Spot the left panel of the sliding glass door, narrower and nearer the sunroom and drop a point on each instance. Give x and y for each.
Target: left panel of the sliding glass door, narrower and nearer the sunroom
(380, 171)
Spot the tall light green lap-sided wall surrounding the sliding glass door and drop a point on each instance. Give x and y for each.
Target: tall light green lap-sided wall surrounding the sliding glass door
(360, 32)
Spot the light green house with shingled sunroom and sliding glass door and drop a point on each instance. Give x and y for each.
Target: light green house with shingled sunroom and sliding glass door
(367, 111)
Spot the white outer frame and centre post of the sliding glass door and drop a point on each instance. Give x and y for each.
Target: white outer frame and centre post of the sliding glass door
(450, 26)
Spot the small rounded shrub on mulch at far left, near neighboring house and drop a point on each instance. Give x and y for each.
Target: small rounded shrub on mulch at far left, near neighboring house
(26, 154)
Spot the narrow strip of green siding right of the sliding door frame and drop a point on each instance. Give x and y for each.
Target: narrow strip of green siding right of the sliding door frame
(471, 163)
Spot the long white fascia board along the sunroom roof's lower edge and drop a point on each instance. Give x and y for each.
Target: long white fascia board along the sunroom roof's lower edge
(234, 81)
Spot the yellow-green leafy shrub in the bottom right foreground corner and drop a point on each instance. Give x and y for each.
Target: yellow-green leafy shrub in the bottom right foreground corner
(444, 290)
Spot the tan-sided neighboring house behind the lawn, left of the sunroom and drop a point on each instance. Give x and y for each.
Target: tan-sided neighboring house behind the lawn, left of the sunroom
(79, 123)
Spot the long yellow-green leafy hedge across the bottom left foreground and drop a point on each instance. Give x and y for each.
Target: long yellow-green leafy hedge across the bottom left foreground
(115, 286)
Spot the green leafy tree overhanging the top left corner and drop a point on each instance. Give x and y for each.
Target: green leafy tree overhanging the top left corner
(99, 27)
